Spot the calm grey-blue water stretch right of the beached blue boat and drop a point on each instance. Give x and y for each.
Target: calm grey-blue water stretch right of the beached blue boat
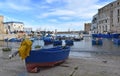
(85, 48)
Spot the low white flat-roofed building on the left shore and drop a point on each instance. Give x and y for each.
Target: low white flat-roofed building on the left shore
(13, 26)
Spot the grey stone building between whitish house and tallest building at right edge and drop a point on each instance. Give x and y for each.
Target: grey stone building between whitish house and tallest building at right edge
(104, 19)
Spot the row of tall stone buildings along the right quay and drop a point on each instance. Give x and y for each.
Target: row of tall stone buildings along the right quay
(108, 18)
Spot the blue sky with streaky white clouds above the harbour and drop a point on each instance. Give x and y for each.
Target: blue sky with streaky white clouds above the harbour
(49, 15)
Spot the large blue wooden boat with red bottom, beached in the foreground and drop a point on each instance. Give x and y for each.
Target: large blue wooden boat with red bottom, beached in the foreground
(46, 57)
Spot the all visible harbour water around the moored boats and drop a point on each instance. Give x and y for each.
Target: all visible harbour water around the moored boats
(83, 48)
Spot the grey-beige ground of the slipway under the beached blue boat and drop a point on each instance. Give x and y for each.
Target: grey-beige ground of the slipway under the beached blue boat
(98, 66)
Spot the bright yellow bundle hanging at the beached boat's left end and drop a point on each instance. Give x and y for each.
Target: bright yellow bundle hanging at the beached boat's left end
(25, 48)
